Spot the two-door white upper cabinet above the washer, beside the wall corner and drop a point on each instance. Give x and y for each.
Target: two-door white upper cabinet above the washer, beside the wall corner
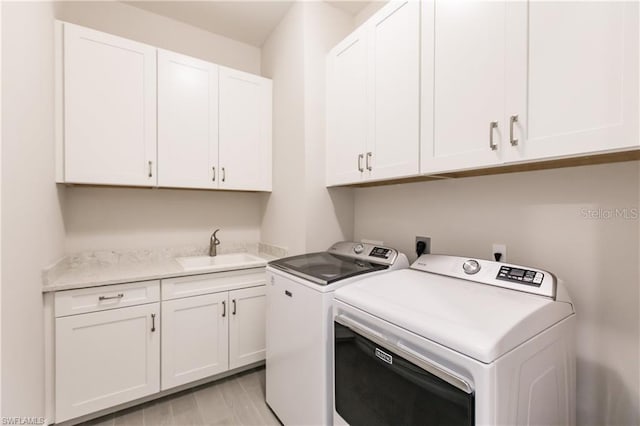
(373, 96)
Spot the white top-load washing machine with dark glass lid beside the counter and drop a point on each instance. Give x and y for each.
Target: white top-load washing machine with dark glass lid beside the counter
(300, 325)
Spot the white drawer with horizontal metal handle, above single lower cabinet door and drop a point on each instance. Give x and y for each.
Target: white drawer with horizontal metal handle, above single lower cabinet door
(95, 299)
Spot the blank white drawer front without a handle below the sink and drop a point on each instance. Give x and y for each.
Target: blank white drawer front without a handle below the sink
(175, 288)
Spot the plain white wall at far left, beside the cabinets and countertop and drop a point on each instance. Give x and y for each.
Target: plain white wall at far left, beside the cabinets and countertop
(32, 229)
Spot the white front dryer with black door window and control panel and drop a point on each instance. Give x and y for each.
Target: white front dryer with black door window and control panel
(455, 341)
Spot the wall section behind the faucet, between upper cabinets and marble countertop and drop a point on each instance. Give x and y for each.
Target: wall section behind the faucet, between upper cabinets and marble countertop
(134, 218)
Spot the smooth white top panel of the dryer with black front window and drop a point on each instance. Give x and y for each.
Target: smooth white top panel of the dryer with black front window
(478, 320)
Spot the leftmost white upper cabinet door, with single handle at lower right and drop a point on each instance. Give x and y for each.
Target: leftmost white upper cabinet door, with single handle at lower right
(109, 109)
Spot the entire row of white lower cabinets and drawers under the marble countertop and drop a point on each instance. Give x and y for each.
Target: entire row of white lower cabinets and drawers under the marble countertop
(110, 347)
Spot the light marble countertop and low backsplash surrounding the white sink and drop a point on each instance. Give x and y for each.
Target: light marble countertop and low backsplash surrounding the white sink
(101, 268)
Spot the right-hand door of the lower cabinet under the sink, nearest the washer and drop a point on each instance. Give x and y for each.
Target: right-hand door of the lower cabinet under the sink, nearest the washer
(247, 326)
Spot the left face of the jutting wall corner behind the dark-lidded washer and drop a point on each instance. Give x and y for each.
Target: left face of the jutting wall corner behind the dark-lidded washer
(283, 61)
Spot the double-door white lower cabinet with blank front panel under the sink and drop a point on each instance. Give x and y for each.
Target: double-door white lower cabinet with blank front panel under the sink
(208, 334)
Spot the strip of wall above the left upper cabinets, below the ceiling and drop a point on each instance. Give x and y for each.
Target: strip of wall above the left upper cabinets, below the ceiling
(131, 22)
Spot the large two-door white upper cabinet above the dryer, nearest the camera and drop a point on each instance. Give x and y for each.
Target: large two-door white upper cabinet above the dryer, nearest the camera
(556, 79)
